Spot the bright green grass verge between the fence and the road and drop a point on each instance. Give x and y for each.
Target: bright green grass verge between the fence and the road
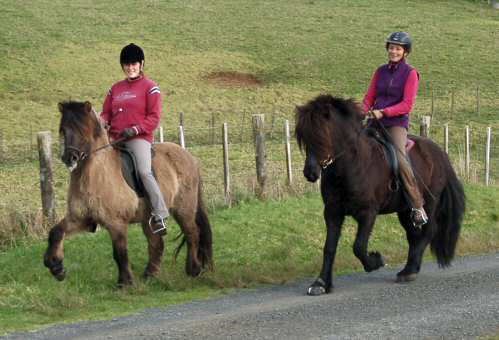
(254, 243)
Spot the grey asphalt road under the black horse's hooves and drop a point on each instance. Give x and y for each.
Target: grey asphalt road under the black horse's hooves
(461, 302)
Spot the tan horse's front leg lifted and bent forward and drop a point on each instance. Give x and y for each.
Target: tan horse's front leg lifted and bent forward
(54, 255)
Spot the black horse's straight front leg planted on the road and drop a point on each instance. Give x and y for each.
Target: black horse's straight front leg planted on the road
(324, 282)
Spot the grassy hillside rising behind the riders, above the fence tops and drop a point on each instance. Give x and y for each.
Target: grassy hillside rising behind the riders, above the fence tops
(54, 50)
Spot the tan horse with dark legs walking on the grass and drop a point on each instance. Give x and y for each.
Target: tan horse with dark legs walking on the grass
(98, 194)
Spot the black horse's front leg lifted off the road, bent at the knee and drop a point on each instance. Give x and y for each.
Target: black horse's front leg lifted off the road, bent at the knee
(373, 260)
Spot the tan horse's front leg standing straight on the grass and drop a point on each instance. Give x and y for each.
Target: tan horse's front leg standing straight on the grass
(119, 238)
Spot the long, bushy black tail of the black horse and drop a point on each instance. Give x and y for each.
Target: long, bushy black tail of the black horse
(449, 216)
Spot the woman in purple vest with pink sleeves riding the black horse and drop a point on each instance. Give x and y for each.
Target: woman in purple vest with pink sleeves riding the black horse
(390, 98)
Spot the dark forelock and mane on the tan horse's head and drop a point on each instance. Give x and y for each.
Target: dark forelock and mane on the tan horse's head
(78, 116)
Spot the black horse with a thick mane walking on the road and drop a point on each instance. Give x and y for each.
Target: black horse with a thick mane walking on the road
(355, 181)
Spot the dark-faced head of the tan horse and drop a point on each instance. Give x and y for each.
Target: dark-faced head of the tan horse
(79, 128)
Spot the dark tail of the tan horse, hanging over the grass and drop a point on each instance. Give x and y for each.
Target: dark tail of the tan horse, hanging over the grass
(205, 253)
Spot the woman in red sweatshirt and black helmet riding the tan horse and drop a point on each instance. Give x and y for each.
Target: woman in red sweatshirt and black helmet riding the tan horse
(132, 110)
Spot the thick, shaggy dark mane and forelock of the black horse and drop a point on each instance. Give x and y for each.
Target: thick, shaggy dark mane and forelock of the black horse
(313, 120)
